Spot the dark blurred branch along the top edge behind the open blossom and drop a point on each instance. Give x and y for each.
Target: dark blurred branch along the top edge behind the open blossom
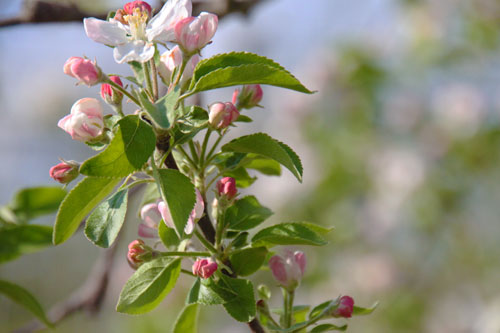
(51, 12)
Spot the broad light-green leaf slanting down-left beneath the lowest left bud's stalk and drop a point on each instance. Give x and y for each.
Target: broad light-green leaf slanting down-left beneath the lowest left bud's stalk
(149, 285)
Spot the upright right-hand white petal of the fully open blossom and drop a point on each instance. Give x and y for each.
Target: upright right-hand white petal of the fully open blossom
(161, 26)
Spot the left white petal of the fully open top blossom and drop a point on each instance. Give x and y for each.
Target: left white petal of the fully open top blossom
(109, 33)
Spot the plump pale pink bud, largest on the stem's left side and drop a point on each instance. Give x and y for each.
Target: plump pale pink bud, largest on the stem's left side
(85, 122)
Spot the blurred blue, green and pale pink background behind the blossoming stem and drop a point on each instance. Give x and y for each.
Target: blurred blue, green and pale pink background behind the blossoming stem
(400, 146)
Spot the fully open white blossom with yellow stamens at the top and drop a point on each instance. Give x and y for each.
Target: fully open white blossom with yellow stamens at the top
(133, 34)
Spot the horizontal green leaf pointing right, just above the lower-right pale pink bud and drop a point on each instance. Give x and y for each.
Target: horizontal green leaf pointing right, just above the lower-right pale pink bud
(294, 233)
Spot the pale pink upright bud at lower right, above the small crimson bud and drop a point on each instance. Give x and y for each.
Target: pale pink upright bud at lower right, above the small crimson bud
(289, 268)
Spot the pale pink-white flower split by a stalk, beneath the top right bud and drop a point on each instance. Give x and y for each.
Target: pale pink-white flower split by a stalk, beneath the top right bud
(170, 60)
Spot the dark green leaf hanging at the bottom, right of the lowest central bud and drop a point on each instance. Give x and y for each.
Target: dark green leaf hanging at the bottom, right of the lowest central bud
(242, 307)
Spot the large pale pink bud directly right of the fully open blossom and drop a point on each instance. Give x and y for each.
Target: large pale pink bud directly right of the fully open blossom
(193, 33)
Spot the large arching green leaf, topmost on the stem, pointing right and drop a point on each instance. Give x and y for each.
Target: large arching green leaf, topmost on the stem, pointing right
(231, 69)
